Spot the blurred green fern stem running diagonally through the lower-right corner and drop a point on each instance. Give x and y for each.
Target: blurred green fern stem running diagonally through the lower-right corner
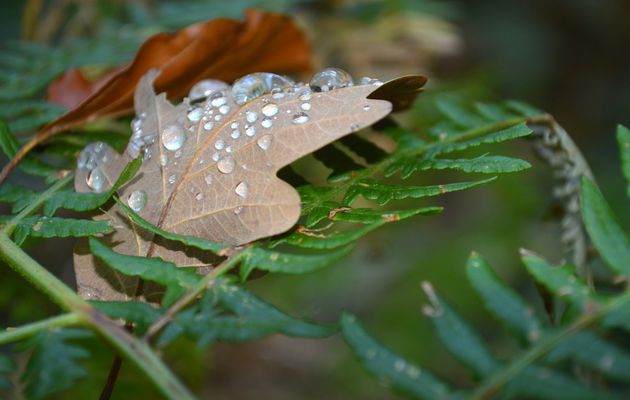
(491, 385)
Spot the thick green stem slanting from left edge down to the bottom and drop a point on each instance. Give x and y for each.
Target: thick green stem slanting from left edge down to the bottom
(136, 351)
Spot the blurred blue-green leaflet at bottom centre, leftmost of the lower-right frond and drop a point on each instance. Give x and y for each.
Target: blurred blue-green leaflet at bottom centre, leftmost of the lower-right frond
(401, 374)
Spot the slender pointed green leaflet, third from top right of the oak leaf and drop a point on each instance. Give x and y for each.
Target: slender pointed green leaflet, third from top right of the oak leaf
(383, 193)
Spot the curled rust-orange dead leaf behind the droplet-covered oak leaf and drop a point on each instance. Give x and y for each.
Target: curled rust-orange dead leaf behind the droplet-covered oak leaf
(220, 49)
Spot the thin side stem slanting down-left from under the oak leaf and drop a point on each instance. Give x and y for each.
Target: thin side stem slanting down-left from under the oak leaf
(203, 284)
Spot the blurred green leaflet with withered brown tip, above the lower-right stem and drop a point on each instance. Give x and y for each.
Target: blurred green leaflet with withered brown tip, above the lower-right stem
(459, 338)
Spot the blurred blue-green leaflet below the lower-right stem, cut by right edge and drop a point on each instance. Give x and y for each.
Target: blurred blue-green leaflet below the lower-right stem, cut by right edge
(588, 349)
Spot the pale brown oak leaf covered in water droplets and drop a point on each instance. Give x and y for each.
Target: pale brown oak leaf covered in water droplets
(209, 169)
